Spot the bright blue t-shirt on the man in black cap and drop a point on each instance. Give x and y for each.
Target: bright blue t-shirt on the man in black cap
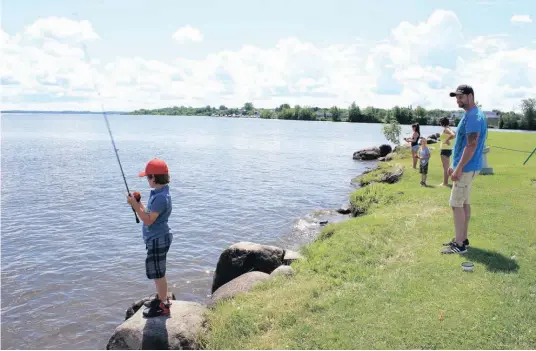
(473, 121)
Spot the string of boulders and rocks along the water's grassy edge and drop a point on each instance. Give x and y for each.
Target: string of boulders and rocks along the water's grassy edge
(240, 268)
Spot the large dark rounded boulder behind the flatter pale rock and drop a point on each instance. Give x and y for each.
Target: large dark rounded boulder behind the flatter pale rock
(245, 257)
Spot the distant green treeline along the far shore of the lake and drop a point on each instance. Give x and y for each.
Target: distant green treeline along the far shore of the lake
(404, 115)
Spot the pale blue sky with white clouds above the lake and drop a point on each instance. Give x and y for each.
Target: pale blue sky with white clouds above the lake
(377, 53)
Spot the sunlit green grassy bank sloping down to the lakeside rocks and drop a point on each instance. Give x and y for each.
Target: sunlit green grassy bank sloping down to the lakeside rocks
(378, 281)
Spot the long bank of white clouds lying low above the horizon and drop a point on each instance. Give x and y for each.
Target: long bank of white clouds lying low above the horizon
(418, 64)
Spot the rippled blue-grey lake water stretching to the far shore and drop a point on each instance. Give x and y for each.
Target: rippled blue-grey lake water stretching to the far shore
(72, 254)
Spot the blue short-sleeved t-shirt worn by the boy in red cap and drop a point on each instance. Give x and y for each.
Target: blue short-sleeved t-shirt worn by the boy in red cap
(159, 201)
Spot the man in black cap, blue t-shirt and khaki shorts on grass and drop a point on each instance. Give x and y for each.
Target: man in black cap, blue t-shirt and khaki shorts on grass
(467, 163)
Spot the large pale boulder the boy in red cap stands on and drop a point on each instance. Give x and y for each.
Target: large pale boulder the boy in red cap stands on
(180, 331)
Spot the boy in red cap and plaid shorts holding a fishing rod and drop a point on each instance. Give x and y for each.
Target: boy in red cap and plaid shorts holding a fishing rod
(156, 233)
